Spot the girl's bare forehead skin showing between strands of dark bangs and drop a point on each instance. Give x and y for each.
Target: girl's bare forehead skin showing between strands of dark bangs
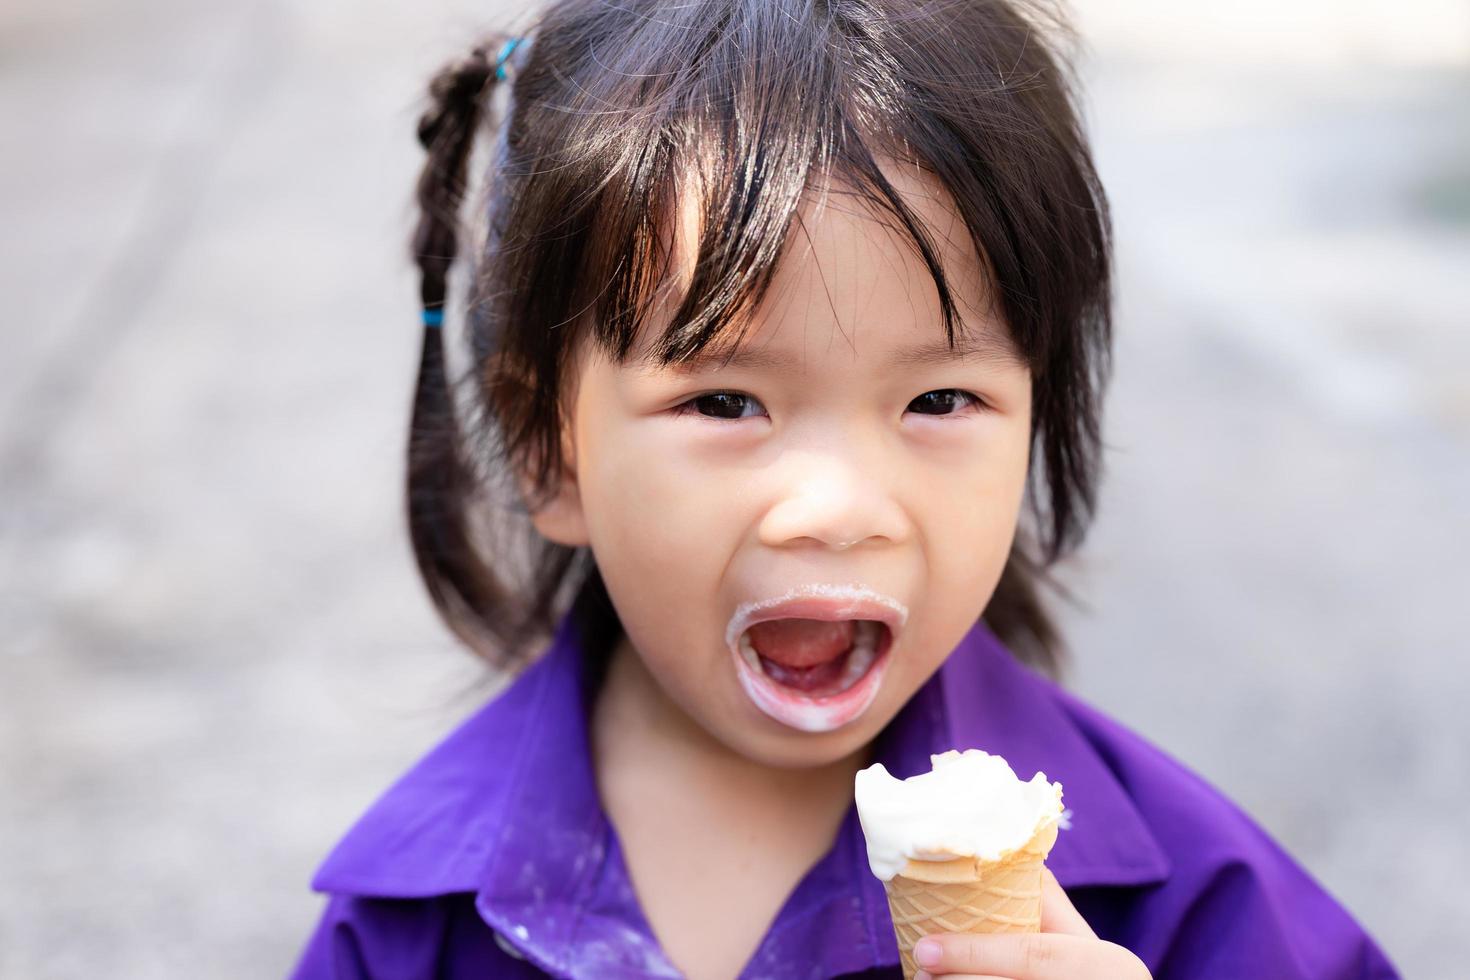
(850, 277)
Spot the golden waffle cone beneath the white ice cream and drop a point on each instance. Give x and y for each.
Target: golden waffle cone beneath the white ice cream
(969, 896)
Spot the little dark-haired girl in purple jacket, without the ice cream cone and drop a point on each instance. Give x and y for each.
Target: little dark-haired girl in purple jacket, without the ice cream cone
(787, 339)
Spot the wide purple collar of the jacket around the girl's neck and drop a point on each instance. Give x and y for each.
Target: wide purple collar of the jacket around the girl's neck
(506, 807)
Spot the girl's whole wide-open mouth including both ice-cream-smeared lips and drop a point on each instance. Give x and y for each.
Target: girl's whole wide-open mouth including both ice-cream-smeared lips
(814, 659)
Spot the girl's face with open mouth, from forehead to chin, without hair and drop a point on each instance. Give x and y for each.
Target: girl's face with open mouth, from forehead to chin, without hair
(849, 456)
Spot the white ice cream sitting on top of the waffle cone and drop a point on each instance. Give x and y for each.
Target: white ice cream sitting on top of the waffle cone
(969, 806)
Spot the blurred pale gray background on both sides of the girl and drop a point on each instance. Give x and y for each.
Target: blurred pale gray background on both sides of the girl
(217, 652)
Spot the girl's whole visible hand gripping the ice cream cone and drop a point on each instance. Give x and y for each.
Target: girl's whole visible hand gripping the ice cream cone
(1065, 948)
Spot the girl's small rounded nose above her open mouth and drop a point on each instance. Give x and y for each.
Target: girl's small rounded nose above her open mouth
(834, 503)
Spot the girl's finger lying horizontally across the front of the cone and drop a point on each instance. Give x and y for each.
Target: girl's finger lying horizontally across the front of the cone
(1025, 957)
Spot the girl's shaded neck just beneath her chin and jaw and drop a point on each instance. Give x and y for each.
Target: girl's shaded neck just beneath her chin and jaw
(636, 725)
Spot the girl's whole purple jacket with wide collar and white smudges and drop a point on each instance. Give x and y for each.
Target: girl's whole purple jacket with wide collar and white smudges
(495, 859)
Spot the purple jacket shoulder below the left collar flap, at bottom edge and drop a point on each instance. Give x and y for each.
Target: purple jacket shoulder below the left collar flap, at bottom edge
(405, 940)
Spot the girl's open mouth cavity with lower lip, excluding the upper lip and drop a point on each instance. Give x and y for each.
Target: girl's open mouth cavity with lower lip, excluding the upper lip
(814, 675)
